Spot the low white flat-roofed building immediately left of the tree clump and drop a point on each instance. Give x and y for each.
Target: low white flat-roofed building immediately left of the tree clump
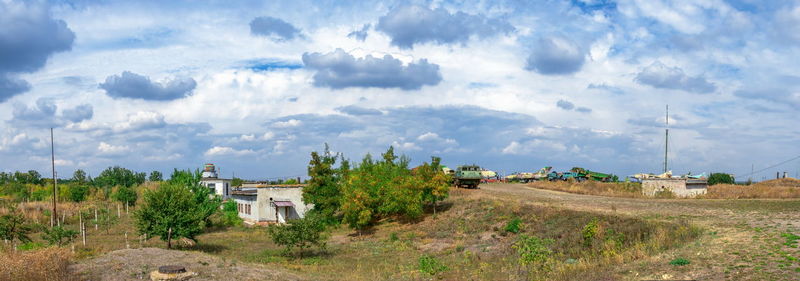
(270, 203)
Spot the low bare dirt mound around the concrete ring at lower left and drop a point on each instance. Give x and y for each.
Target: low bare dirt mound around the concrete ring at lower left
(136, 264)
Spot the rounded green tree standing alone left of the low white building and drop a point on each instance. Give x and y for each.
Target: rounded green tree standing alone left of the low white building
(178, 208)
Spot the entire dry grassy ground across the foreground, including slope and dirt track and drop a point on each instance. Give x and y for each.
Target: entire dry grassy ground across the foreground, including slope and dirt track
(584, 237)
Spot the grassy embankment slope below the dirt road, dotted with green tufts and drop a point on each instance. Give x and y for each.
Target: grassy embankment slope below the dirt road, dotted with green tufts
(468, 240)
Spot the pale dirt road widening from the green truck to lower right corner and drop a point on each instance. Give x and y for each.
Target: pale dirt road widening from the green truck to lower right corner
(743, 240)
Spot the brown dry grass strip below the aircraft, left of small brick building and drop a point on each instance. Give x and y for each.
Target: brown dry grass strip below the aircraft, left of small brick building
(621, 189)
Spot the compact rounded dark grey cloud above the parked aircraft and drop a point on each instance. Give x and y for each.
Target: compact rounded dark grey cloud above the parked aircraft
(556, 56)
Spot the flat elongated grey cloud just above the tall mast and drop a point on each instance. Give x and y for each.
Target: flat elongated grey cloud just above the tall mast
(661, 76)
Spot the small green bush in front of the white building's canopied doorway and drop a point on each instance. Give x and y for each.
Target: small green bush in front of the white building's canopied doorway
(300, 233)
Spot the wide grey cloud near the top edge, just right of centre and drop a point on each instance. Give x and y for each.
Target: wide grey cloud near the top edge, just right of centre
(409, 25)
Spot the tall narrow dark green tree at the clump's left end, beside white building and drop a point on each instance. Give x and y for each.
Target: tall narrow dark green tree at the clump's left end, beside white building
(323, 187)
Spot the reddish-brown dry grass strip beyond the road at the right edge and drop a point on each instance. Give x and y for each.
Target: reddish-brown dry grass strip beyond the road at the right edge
(779, 188)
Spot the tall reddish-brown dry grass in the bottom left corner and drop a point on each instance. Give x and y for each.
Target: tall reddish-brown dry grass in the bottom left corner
(45, 264)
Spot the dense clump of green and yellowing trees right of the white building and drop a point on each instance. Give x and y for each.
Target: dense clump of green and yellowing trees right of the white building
(372, 190)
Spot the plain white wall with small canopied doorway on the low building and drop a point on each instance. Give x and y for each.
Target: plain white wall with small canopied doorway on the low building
(293, 194)
